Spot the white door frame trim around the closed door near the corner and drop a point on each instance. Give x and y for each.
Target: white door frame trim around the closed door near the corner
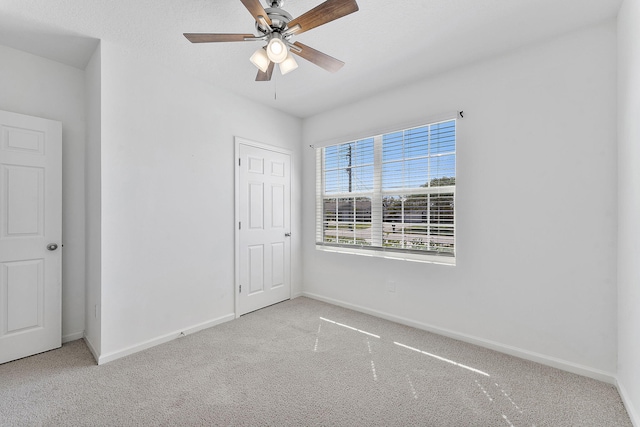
(242, 141)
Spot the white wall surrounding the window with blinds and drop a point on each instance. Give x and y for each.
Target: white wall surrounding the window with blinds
(536, 206)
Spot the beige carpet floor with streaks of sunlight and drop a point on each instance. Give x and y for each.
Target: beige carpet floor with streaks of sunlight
(302, 363)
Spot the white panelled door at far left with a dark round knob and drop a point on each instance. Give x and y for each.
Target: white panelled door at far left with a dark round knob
(30, 235)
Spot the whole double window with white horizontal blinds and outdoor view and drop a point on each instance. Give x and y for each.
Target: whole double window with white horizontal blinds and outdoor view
(393, 194)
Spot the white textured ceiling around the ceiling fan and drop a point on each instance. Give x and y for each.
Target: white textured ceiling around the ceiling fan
(385, 44)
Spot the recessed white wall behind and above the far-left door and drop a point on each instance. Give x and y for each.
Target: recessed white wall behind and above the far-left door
(43, 88)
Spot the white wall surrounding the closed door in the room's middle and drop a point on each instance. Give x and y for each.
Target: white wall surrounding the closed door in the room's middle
(167, 171)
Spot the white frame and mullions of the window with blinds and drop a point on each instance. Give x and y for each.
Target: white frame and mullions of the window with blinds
(377, 250)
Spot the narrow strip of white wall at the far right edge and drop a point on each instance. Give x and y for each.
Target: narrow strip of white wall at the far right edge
(629, 206)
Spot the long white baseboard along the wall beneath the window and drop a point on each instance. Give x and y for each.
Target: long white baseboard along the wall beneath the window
(503, 348)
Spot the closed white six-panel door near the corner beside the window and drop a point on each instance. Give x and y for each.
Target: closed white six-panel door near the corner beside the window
(264, 224)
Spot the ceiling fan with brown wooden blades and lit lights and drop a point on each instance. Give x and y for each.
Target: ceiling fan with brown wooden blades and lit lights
(276, 27)
